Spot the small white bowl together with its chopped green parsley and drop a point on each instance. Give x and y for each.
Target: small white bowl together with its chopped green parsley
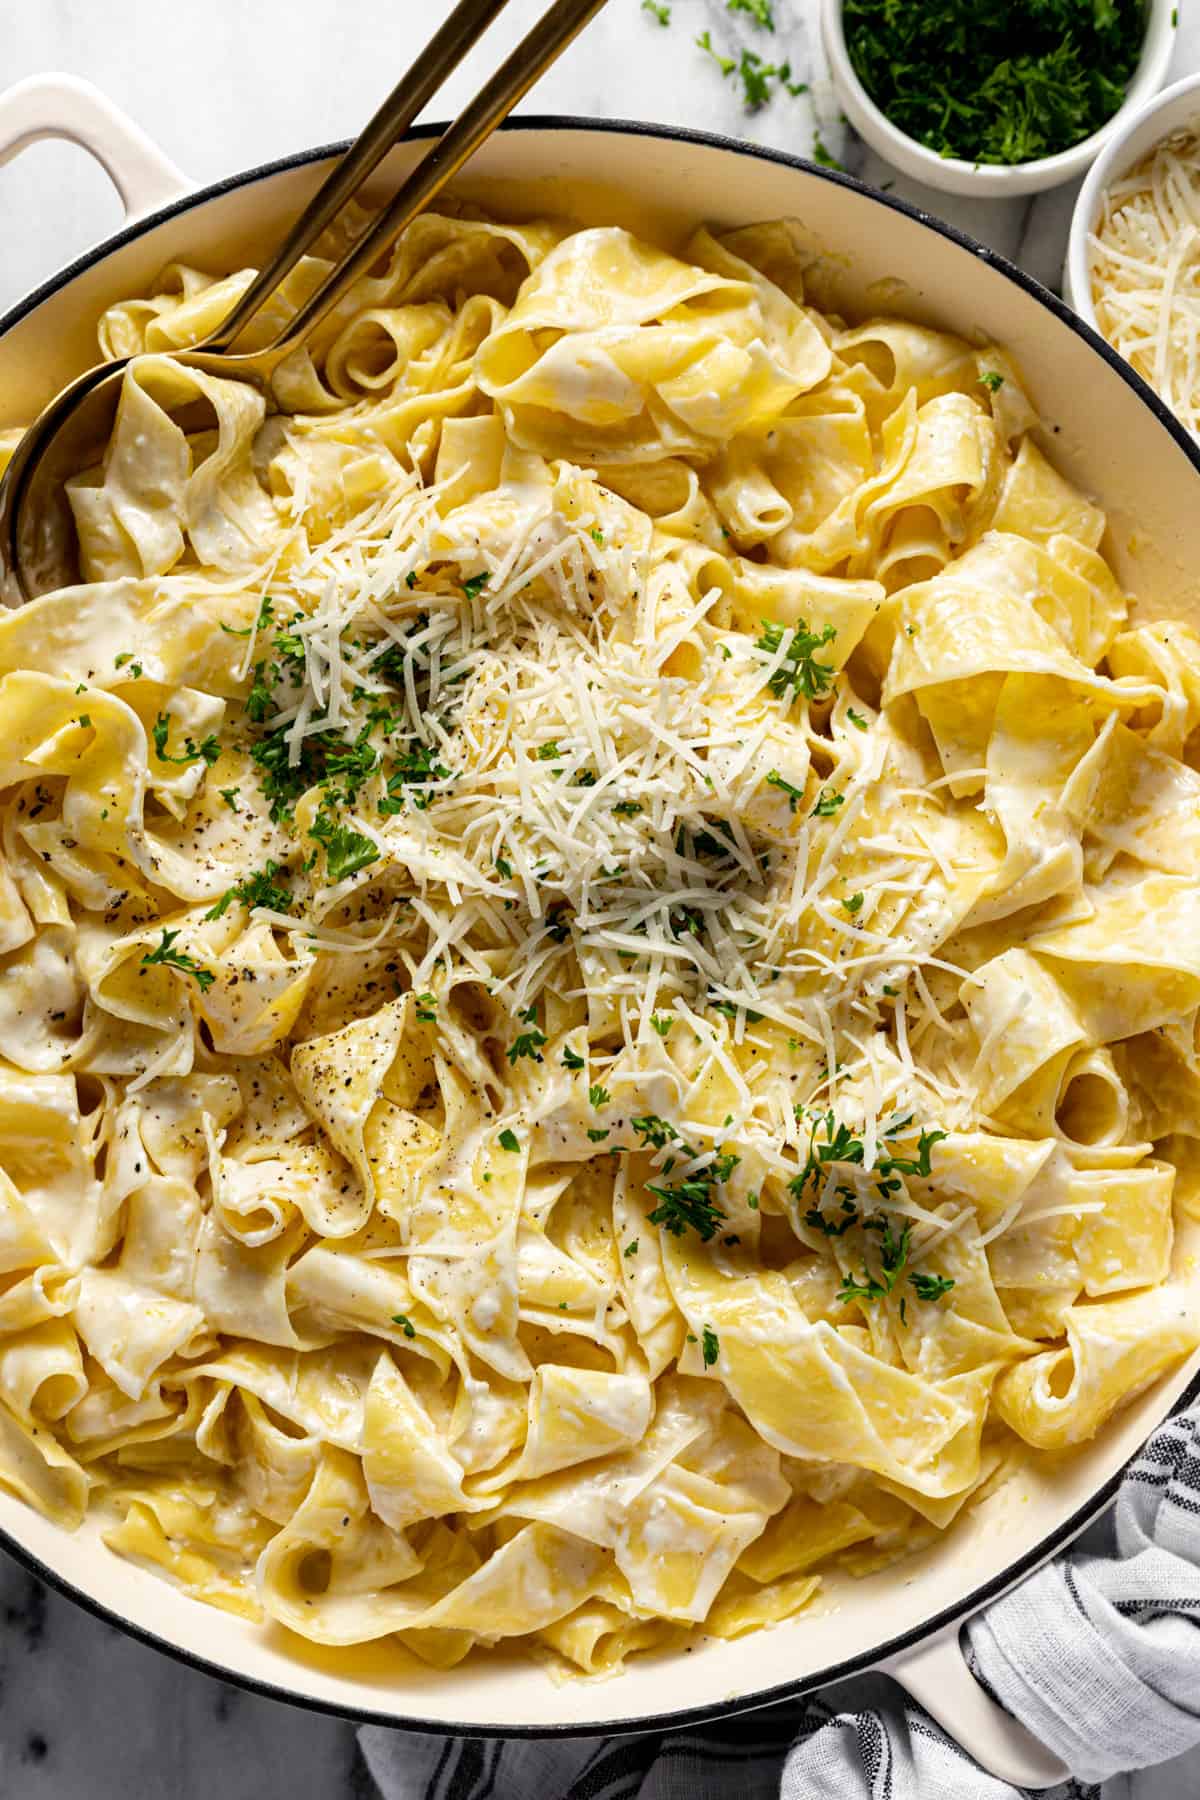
(996, 100)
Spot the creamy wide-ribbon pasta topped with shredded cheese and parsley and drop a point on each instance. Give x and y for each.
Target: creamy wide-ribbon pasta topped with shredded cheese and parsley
(600, 955)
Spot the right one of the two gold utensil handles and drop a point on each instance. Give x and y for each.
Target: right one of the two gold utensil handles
(512, 82)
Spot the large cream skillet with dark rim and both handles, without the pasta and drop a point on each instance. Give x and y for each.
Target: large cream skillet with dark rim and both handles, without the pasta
(1104, 427)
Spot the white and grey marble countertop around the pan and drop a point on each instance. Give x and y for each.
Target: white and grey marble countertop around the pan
(87, 1714)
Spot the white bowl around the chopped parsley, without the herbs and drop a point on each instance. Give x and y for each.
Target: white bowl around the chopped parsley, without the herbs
(998, 181)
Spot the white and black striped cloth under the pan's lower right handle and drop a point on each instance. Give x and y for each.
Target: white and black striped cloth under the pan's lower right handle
(1097, 1653)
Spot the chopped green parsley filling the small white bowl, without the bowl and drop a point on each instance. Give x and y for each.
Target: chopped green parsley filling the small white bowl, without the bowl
(998, 85)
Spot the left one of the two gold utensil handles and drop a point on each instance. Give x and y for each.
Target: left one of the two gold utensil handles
(415, 91)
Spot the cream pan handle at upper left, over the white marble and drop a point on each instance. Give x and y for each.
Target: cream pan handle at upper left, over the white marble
(58, 105)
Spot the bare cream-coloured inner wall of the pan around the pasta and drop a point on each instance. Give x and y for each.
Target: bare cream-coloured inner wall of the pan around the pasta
(1106, 436)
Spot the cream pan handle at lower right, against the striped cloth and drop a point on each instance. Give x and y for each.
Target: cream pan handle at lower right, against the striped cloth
(938, 1677)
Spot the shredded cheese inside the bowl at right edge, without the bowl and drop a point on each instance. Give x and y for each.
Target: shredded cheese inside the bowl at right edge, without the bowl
(1145, 271)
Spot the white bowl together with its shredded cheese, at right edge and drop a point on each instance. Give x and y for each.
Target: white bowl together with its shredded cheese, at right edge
(1134, 255)
